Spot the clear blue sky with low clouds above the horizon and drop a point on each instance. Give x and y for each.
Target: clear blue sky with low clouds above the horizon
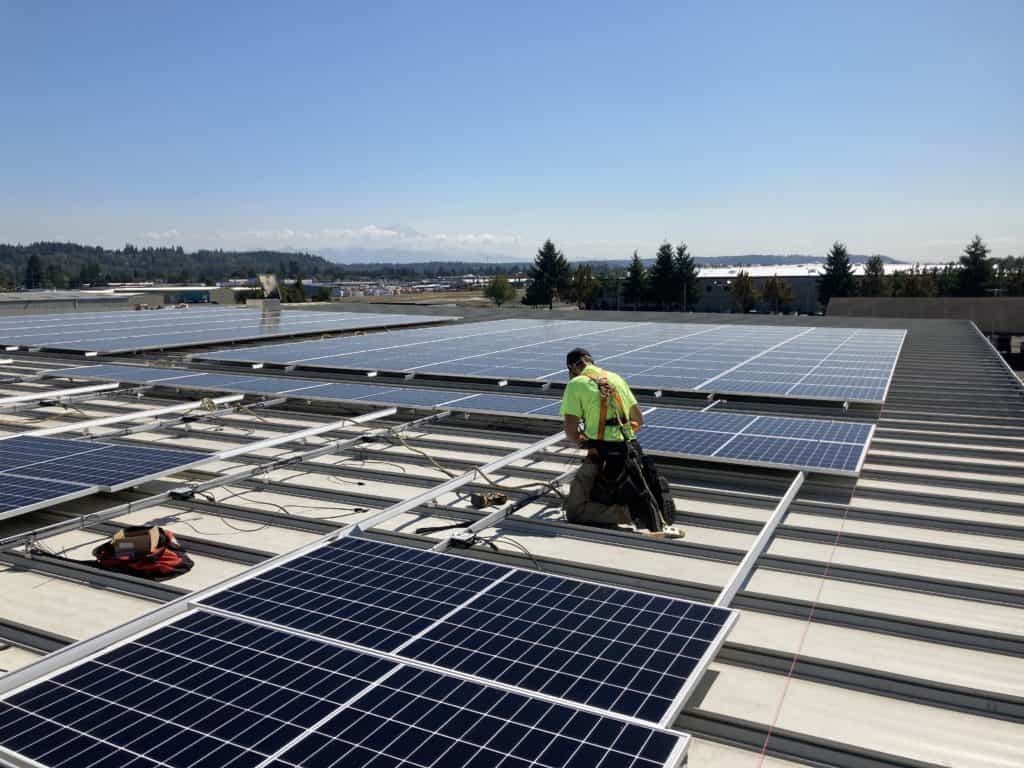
(738, 126)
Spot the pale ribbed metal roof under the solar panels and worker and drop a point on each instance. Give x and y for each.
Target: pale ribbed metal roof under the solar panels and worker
(884, 625)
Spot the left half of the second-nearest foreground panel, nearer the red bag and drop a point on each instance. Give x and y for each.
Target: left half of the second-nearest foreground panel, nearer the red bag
(372, 594)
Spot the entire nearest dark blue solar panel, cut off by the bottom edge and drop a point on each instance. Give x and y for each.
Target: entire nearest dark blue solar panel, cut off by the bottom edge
(208, 692)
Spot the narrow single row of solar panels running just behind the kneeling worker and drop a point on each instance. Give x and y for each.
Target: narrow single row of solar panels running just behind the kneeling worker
(817, 445)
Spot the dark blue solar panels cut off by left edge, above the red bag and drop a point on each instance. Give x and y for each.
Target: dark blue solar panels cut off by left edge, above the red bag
(39, 473)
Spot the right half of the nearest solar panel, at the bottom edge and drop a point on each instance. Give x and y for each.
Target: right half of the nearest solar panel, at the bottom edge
(418, 718)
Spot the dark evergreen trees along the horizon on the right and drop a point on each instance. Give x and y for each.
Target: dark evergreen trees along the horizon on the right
(671, 283)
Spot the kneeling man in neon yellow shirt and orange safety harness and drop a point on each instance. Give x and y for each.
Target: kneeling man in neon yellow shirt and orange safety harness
(616, 485)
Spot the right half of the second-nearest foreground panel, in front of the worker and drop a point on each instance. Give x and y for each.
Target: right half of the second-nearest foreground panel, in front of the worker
(628, 653)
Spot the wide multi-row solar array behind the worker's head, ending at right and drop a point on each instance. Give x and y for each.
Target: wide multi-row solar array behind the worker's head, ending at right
(834, 364)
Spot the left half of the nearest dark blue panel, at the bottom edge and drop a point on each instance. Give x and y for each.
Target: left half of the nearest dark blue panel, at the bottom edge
(206, 692)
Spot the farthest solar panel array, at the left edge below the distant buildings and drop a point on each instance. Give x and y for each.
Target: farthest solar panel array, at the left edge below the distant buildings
(112, 333)
